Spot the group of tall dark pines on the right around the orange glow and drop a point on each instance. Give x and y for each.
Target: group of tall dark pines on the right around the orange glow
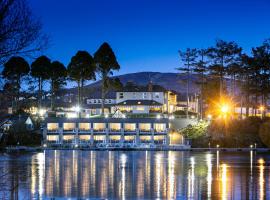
(223, 63)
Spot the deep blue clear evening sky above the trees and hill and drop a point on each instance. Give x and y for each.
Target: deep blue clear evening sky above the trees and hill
(146, 34)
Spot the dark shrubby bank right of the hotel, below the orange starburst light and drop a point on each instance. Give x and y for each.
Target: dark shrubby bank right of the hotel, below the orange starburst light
(237, 133)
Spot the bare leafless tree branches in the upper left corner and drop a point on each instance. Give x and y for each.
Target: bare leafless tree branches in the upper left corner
(20, 32)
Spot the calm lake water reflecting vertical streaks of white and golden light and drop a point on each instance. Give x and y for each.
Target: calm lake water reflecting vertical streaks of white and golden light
(134, 175)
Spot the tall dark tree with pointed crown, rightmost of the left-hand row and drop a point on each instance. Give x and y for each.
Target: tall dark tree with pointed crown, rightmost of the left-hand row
(106, 63)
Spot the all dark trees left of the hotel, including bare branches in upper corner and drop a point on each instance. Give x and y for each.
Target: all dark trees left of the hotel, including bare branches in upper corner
(22, 39)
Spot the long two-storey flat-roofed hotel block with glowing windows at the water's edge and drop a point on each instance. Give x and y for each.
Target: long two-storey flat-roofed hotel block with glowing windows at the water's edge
(106, 131)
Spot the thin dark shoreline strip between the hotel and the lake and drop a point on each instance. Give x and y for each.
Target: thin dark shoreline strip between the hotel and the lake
(170, 148)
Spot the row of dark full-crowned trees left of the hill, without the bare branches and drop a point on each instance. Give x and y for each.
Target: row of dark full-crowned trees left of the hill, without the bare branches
(81, 68)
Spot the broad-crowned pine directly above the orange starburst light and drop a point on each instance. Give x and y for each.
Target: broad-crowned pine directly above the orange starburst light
(222, 55)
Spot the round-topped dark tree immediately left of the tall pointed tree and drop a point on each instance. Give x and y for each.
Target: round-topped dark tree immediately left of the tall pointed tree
(81, 68)
